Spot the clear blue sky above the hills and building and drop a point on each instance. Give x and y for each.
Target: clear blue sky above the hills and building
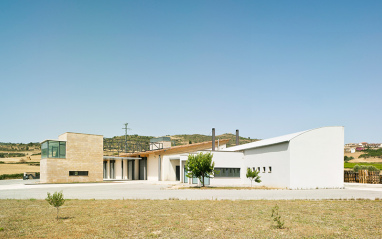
(267, 68)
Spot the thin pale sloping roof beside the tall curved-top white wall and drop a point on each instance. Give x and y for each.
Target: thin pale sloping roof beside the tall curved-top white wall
(265, 142)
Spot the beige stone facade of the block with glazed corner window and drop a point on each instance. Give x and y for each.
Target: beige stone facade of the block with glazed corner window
(84, 153)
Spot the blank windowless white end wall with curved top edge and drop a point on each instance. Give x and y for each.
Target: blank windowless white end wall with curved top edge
(317, 159)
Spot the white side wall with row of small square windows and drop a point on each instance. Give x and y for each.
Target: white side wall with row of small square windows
(275, 156)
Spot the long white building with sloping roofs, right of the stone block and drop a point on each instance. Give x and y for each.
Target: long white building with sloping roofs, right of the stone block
(304, 160)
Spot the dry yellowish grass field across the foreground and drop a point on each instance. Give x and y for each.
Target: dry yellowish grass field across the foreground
(190, 219)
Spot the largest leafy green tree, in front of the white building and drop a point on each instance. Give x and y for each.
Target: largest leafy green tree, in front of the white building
(200, 166)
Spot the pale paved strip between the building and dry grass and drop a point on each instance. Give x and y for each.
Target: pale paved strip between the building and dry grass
(20, 189)
